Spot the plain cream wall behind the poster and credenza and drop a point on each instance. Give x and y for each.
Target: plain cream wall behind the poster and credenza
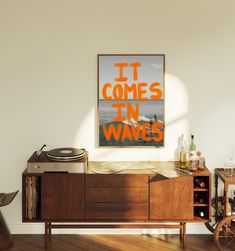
(48, 77)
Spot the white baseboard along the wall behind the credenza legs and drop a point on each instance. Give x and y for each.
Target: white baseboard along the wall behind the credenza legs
(38, 228)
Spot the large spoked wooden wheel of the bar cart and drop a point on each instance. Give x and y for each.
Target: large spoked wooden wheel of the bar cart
(224, 234)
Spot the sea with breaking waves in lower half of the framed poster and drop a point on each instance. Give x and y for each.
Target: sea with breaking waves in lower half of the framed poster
(142, 132)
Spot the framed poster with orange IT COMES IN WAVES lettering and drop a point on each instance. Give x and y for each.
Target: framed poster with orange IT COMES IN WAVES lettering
(131, 100)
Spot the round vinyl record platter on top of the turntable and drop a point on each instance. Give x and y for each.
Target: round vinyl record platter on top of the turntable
(66, 154)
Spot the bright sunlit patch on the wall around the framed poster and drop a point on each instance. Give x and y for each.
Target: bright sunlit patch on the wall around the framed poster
(176, 111)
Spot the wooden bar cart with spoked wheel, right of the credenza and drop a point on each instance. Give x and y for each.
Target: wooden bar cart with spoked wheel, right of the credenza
(223, 221)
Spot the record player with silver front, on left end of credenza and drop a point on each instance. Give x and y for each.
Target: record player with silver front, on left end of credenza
(69, 160)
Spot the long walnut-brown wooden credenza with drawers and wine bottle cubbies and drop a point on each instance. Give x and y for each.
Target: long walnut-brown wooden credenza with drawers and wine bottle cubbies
(130, 199)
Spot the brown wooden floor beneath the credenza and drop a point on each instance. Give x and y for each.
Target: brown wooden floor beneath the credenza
(113, 243)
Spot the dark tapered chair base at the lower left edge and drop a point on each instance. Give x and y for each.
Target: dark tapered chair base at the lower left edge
(5, 235)
